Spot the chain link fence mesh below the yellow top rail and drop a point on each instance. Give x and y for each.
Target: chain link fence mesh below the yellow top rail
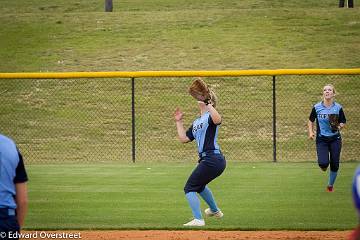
(92, 119)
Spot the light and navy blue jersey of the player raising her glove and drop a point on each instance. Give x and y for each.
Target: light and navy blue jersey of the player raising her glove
(205, 132)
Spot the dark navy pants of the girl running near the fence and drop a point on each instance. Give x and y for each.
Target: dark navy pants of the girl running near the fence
(328, 152)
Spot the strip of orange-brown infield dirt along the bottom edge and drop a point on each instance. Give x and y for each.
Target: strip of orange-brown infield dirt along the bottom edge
(188, 235)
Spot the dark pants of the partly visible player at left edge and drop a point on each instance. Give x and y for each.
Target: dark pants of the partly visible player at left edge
(8, 225)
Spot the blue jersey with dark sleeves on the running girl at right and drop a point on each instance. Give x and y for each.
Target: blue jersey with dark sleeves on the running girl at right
(321, 113)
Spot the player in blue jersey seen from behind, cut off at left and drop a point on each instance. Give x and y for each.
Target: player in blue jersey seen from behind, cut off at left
(13, 190)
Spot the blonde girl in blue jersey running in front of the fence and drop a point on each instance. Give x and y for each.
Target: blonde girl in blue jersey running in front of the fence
(328, 140)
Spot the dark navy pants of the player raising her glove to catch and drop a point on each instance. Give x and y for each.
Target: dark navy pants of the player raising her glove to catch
(209, 168)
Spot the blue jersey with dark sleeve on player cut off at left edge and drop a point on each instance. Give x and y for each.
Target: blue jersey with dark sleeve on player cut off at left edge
(12, 171)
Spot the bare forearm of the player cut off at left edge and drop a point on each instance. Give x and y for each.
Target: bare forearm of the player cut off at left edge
(21, 202)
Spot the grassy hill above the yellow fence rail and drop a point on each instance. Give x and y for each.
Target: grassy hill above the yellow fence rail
(168, 34)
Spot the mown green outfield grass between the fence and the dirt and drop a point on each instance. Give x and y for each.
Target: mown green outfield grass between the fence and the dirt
(150, 196)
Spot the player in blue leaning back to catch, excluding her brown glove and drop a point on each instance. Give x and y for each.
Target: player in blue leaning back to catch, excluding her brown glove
(211, 161)
